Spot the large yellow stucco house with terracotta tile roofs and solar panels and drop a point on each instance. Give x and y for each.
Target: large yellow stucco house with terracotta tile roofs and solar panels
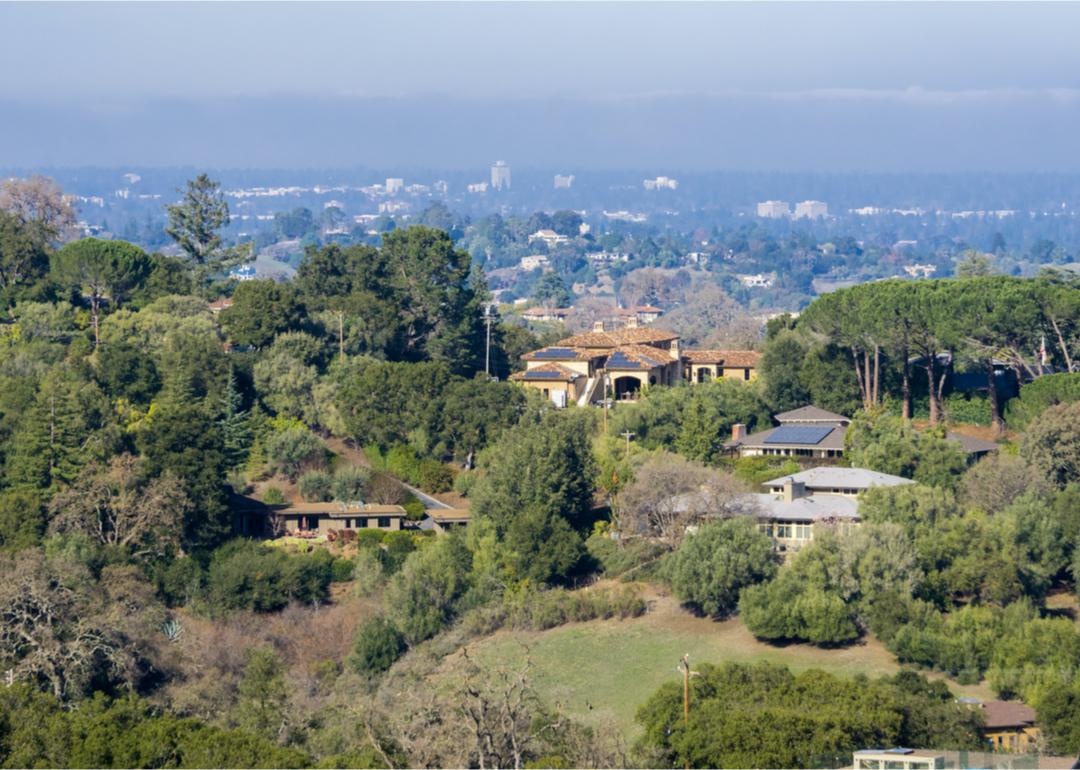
(625, 362)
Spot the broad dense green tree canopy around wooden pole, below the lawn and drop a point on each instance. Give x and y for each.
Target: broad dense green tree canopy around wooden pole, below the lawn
(765, 717)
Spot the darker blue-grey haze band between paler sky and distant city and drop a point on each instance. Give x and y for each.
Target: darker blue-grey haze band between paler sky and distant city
(798, 131)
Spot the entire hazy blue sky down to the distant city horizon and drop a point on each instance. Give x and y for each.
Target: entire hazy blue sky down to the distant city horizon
(975, 80)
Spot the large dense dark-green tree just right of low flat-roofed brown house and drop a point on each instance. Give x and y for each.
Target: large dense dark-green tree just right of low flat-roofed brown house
(537, 491)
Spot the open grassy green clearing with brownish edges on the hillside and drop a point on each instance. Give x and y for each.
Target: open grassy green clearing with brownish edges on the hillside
(602, 671)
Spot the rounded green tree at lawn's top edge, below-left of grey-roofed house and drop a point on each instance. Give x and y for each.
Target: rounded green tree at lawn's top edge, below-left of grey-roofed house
(710, 569)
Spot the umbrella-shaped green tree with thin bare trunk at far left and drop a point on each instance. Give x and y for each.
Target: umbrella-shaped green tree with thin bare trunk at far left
(102, 271)
